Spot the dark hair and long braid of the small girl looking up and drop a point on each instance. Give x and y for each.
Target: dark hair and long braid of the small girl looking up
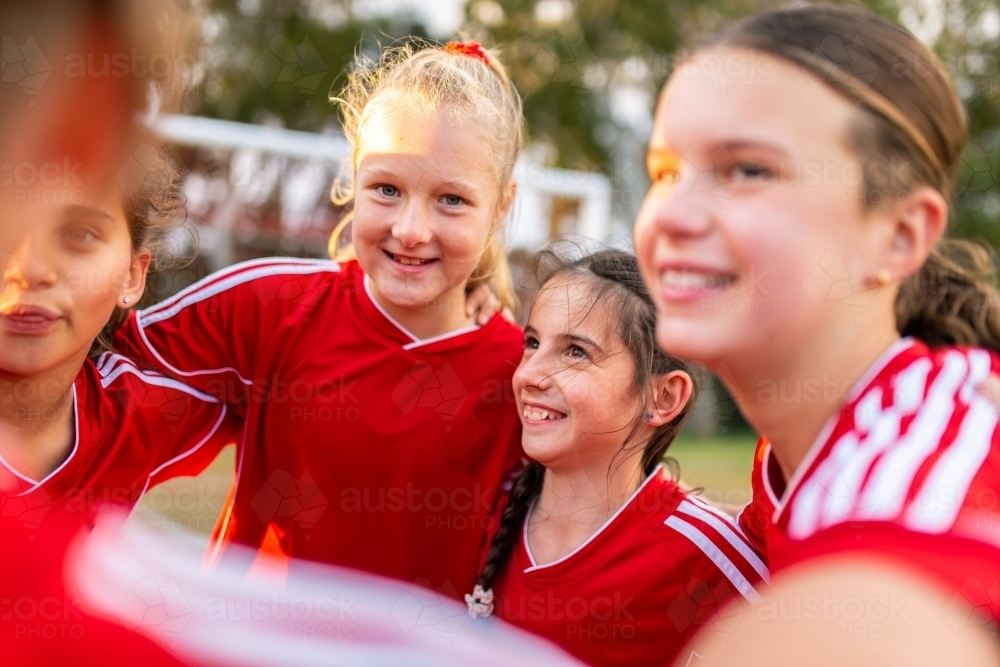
(616, 283)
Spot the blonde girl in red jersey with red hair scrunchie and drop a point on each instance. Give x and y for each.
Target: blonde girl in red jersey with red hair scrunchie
(378, 429)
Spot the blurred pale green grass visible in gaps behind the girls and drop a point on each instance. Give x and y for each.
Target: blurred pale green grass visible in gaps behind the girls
(719, 466)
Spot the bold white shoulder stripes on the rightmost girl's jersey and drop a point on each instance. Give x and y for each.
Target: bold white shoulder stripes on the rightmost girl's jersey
(906, 450)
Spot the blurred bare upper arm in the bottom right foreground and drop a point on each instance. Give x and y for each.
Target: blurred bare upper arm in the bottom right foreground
(853, 611)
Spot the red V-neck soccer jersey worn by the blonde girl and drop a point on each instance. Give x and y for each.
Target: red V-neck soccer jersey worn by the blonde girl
(364, 446)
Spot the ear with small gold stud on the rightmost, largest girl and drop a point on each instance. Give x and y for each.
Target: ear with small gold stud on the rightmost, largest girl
(916, 225)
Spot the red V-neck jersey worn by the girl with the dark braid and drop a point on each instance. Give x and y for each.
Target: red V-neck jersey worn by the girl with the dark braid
(635, 592)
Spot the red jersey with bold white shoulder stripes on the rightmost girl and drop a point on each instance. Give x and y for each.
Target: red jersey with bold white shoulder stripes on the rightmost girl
(909, 469)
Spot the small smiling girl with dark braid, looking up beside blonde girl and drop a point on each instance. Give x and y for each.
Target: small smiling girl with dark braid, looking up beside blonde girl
(598, 549)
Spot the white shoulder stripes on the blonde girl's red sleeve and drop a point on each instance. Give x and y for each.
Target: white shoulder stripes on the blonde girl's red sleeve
(232, 277)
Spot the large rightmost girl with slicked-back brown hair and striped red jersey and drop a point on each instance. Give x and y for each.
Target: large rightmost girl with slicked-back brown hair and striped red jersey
(802, 163)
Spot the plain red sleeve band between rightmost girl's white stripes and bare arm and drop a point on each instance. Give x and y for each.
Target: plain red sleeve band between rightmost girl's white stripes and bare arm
(968, 569)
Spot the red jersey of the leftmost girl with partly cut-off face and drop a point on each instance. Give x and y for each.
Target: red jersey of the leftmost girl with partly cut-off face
(133, 430)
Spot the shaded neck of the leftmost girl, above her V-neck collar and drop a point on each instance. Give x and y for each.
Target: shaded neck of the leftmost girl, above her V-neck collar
(37, 418)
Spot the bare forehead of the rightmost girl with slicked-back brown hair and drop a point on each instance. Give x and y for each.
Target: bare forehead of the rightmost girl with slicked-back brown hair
(727, 95)
